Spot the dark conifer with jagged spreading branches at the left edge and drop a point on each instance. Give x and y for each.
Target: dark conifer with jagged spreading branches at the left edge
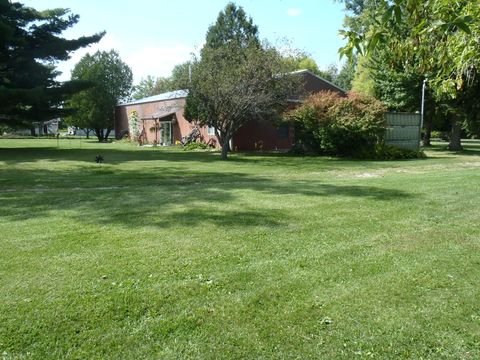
(30, 46)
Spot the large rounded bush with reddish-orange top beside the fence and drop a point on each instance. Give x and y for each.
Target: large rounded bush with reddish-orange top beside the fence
(345, 126)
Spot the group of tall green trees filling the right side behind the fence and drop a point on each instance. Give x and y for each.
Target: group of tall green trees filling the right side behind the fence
(400, 44)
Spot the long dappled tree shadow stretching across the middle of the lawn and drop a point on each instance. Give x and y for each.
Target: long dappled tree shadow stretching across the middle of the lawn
(173, 197)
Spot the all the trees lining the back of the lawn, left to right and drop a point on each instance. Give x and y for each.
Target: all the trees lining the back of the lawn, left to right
(237, 77)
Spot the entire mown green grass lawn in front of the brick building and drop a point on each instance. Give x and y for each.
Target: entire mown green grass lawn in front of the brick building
(160, 253)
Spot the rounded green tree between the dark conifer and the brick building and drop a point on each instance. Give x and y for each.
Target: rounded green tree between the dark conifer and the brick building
(111, 81)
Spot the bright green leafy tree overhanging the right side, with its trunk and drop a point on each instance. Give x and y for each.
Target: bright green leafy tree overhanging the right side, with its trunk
(437, 39)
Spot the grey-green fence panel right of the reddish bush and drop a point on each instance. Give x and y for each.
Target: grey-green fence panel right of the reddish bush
(403, 130)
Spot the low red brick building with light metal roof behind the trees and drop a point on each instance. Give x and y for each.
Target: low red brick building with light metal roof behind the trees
(161, 120)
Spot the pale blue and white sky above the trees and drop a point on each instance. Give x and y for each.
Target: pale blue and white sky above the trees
(152, 36)
